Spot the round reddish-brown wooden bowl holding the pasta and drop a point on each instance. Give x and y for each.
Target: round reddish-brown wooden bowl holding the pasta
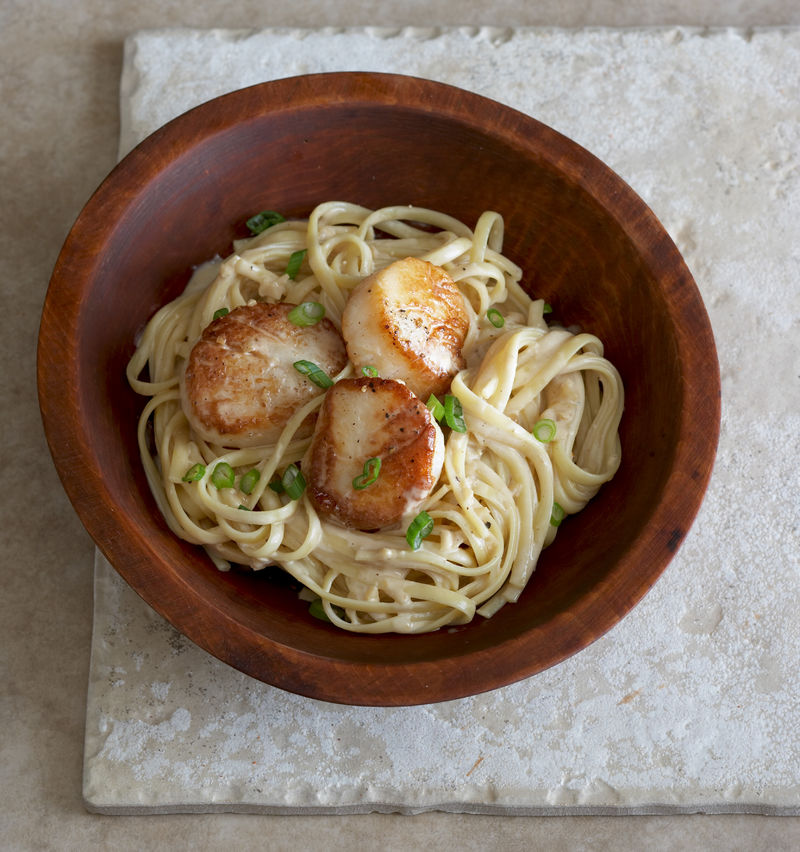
(588, 244)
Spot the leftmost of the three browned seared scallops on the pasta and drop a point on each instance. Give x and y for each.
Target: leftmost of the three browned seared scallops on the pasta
(239, 387)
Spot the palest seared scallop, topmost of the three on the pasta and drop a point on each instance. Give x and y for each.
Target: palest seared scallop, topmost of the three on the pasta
(409, 322)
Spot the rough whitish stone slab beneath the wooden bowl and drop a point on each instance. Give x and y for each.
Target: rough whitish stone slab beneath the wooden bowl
(692, 703)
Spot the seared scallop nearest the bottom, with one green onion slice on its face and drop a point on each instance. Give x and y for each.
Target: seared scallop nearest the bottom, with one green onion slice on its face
(363, 420)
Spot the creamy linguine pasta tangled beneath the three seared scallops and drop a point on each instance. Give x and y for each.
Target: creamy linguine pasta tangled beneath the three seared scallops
(541, 408)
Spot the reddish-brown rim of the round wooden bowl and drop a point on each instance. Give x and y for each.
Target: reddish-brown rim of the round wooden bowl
(443, 679)
